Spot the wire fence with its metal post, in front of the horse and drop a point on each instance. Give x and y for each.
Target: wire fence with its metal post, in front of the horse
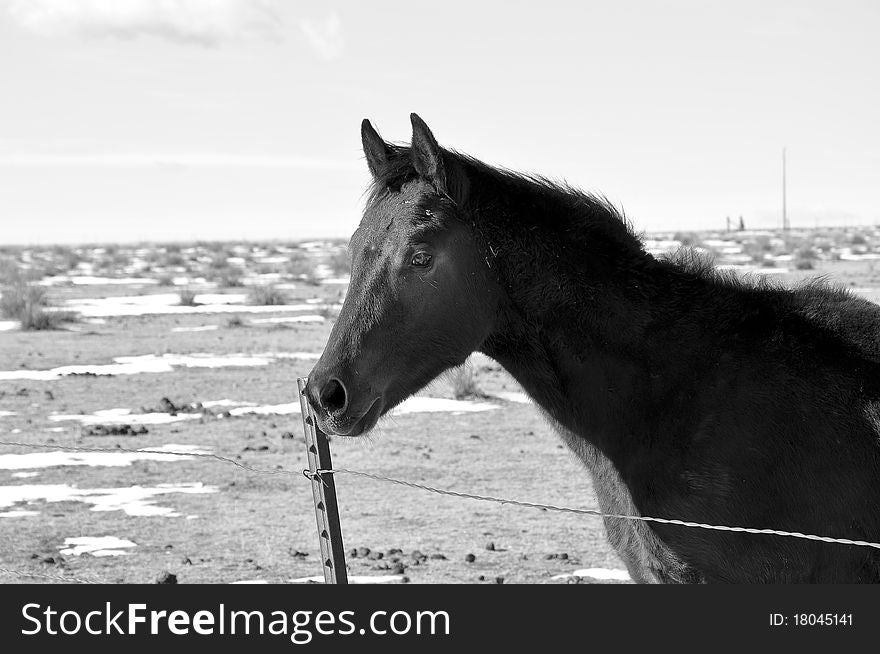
(322, 475)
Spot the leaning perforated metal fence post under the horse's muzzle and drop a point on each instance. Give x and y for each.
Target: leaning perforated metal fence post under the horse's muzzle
(324, 492)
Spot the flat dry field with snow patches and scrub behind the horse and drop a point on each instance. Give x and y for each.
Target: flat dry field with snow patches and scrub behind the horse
(197, 347)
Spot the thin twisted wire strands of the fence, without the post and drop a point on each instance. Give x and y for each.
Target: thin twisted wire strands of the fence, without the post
(409, 484)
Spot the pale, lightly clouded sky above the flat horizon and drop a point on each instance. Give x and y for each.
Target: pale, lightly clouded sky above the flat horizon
(130, 120)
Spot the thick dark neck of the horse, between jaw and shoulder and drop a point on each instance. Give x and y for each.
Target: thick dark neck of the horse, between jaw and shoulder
(587, 323)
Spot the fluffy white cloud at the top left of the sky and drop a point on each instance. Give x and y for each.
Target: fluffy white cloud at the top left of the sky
(203, 22)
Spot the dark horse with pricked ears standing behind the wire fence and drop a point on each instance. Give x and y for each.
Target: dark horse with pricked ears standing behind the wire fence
(688, 393)
